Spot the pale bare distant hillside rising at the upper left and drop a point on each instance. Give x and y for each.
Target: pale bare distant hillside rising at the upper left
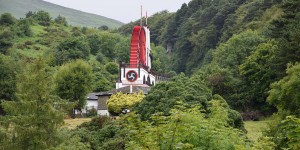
(20, 8)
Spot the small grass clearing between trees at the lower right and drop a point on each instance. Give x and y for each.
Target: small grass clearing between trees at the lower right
(255, 129)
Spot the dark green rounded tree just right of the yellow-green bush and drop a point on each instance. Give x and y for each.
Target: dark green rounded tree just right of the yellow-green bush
(164, 96)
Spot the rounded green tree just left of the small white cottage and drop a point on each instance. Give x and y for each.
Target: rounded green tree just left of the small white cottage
(74, 81)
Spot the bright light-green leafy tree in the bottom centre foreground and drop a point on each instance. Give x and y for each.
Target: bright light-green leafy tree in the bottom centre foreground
(185, 128)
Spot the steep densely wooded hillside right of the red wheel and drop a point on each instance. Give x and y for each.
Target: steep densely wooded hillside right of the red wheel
(239, 47)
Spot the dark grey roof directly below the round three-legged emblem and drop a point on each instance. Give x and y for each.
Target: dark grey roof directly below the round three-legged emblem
(135, 89)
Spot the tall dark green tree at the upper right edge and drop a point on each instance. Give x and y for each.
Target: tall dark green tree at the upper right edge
(286, 30)
